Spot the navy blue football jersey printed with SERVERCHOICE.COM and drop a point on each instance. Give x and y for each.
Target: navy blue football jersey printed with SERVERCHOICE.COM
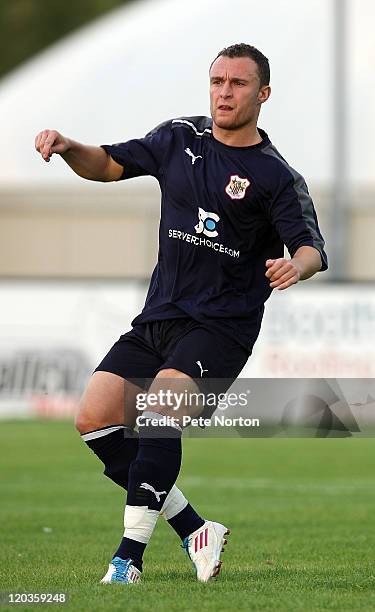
(224, 211)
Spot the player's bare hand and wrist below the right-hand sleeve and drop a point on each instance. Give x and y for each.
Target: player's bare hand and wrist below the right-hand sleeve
(282, 273)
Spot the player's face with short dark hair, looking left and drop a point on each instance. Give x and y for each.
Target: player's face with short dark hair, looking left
(235, 92)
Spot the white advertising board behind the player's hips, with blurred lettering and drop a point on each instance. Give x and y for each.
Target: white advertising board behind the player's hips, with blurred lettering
(53, 334)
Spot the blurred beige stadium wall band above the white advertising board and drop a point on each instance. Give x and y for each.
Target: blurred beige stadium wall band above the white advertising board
(112, 232)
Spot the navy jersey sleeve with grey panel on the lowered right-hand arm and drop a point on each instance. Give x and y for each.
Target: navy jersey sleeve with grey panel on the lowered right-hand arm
(292, 213)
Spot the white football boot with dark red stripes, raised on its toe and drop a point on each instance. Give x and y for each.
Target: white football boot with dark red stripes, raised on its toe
(204, 547)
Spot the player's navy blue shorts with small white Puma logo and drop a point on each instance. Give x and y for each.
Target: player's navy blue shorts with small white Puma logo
(213, 360)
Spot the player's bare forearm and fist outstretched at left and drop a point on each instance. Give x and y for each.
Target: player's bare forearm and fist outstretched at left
(89, 162)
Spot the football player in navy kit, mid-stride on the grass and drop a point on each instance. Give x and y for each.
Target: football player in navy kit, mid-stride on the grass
(230, 202)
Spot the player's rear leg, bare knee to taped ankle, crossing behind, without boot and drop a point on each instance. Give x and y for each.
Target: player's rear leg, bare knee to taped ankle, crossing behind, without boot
(107, 416)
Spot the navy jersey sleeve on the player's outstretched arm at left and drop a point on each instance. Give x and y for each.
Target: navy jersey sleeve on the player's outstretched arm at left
(142, 156)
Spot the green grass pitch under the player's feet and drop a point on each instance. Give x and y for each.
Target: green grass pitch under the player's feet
(301, 513)
